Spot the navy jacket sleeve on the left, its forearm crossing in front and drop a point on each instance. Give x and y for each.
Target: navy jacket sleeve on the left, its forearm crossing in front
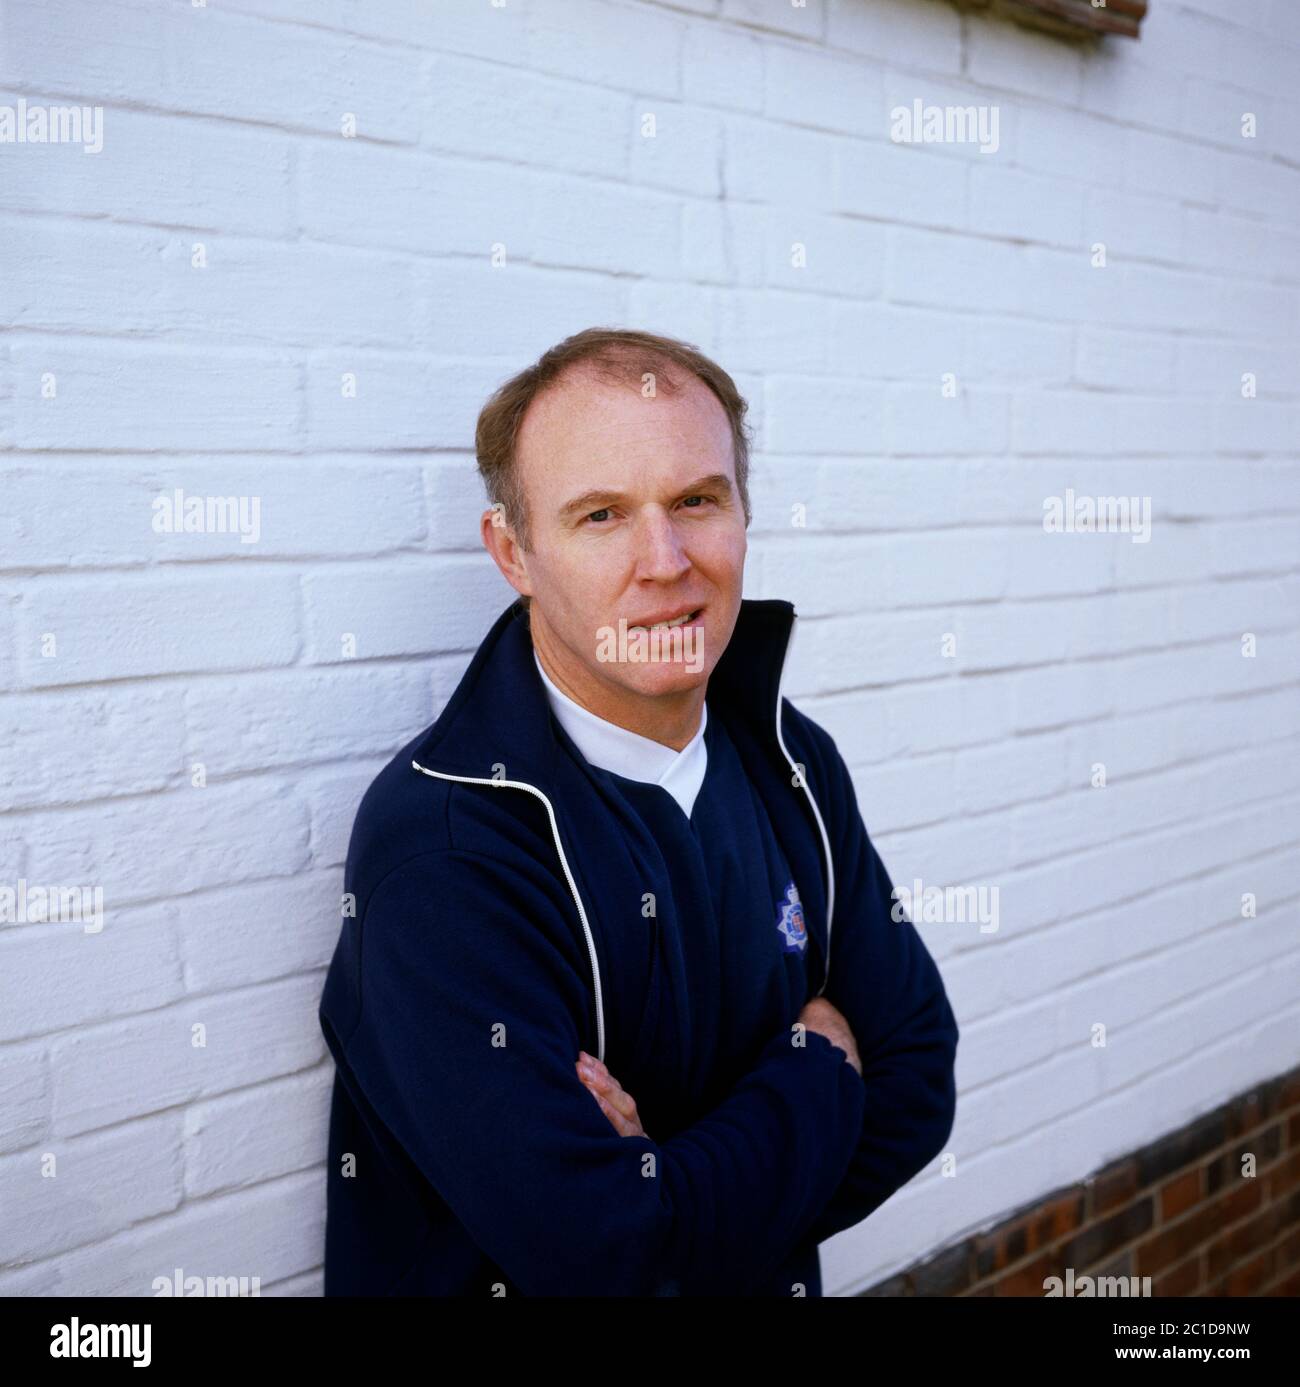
(475, 1001)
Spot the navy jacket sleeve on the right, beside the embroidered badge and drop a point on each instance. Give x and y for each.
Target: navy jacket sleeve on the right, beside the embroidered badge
(886, 983)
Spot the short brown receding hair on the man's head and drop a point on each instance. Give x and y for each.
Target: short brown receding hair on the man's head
(615, 356)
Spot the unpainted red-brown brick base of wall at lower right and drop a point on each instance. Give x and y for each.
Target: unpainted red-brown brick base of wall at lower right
(1211, 1210)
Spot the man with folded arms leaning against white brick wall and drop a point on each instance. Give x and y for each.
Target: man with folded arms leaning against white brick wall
(622, 1009)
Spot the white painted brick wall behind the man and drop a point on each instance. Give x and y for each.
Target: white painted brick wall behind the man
(520, 126)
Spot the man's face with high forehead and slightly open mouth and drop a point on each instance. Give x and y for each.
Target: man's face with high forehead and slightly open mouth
(635, 514)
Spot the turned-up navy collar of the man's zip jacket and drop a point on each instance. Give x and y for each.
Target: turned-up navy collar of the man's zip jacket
(500, 715)
